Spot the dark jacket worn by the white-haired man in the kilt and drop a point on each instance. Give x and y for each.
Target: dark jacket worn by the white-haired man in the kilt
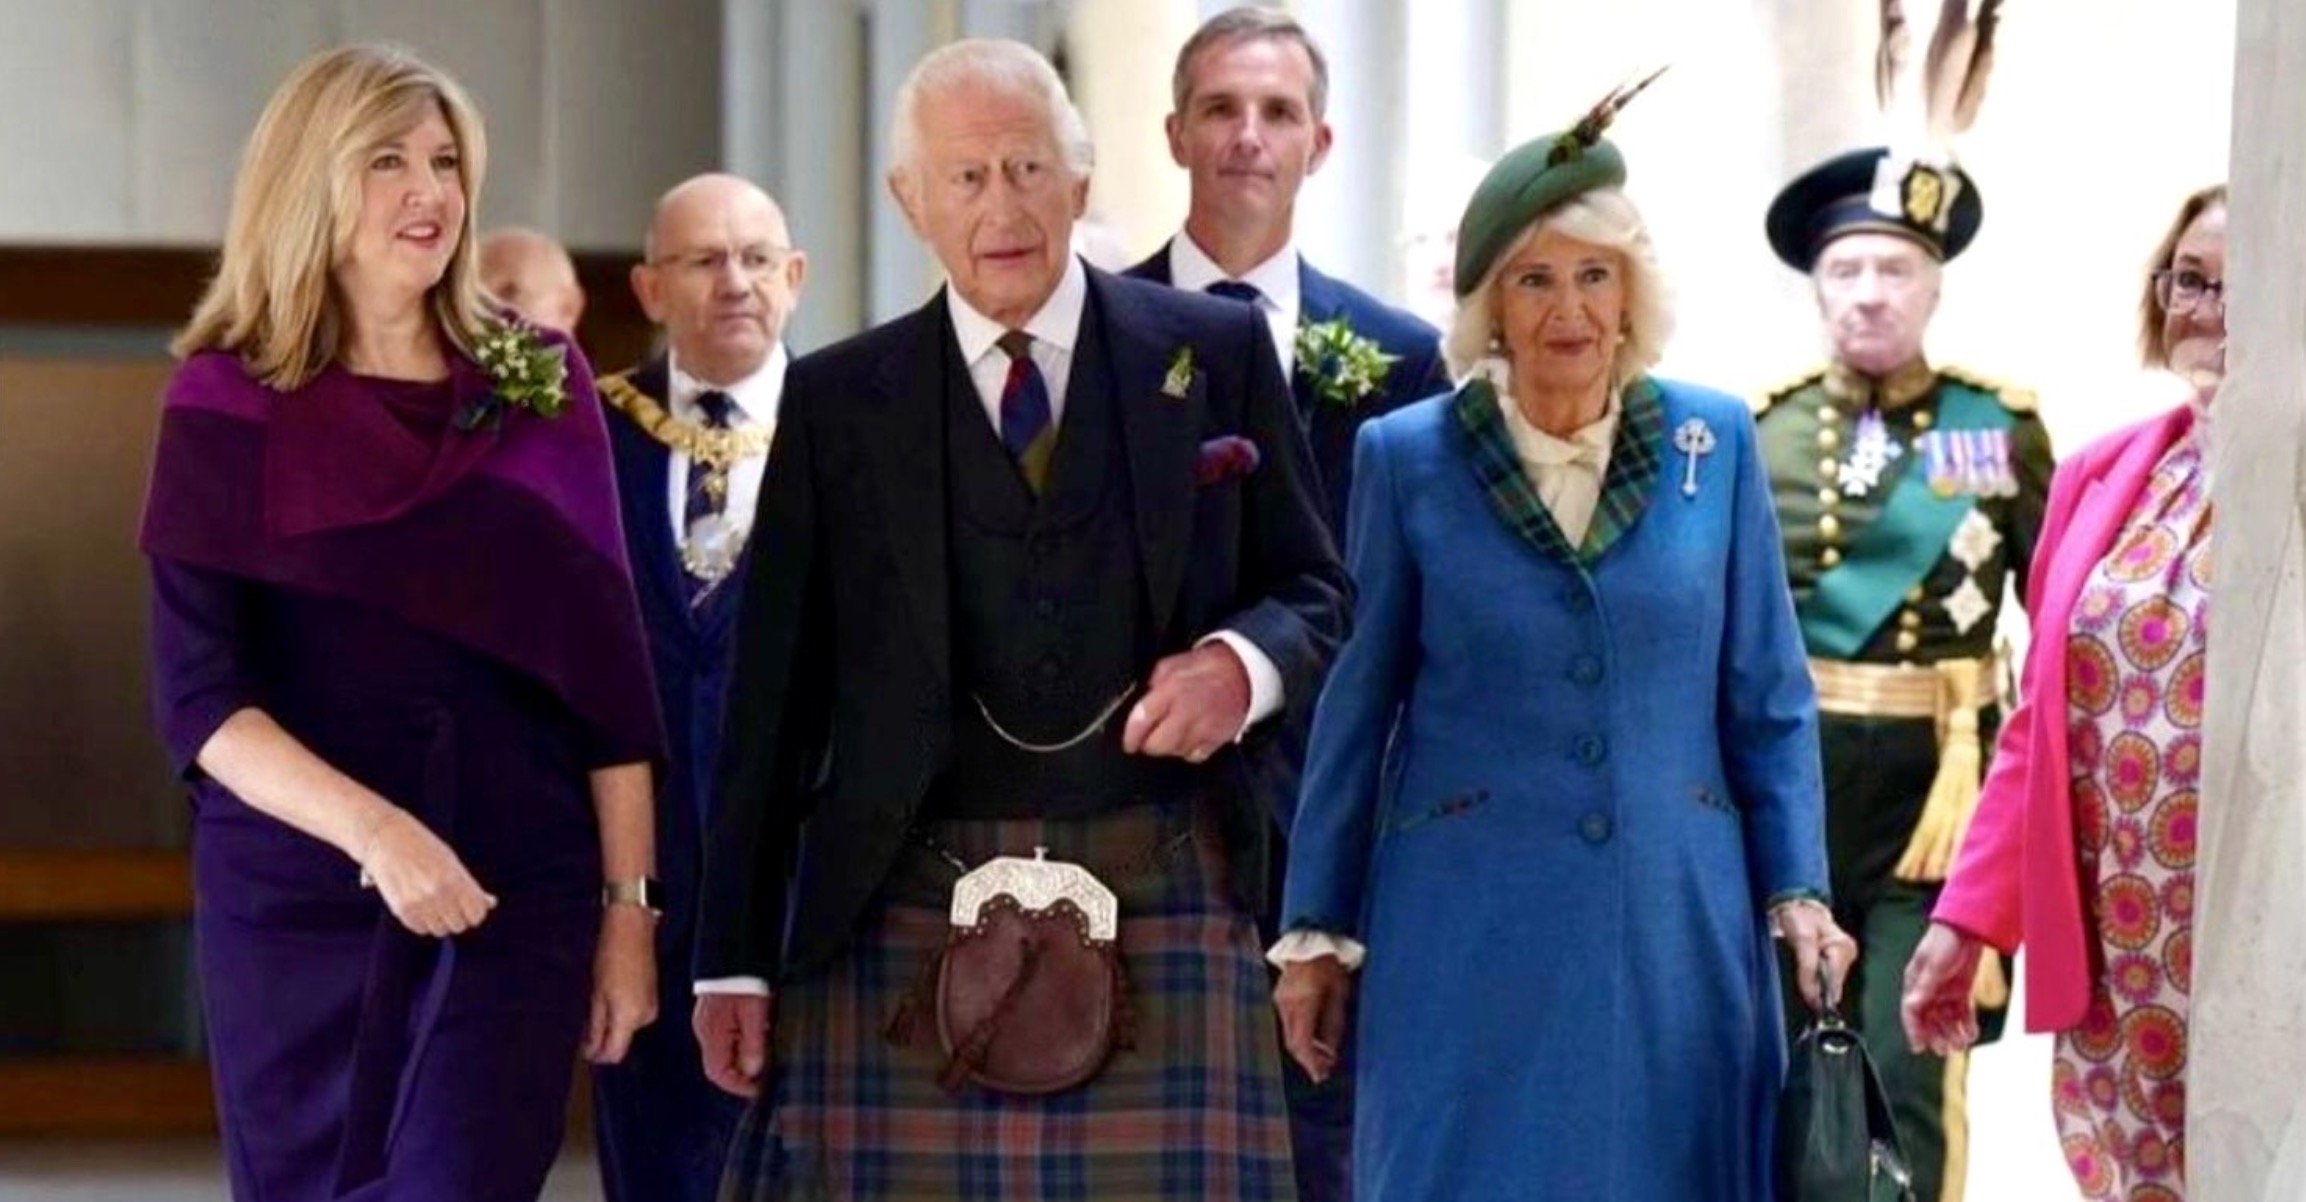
(843, 707)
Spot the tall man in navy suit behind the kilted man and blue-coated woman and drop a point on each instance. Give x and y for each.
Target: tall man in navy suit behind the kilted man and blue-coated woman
(1251, 93)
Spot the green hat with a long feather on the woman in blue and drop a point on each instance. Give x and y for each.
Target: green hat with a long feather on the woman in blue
(1535, 179)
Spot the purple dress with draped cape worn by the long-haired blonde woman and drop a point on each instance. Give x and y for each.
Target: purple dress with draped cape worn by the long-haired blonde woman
(446, 617)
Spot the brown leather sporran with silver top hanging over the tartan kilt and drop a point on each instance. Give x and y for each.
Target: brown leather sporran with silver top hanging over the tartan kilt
(1030, 993)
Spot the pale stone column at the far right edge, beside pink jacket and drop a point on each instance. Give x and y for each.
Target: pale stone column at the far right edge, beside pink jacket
(2247, 1035)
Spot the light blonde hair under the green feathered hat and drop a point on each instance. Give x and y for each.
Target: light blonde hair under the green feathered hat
(1604, 218)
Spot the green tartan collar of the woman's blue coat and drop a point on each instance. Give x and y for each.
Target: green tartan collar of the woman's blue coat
(1625, 493)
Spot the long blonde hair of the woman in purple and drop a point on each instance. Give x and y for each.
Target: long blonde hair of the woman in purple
(296, 206)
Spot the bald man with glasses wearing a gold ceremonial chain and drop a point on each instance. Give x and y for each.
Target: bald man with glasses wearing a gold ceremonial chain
(721, 276)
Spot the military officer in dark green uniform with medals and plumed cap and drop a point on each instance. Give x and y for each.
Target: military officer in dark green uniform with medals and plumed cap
(1911, 497)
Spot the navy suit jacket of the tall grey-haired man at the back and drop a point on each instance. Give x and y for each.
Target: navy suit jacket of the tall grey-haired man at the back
(1329, 426)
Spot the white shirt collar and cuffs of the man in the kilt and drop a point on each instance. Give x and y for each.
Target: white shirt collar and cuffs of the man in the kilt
(1057, 331)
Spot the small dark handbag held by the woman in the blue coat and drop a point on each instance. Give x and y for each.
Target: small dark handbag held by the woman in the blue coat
(1837, 1139)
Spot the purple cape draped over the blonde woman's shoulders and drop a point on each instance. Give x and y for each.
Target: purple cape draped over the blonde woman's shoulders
(504, 539)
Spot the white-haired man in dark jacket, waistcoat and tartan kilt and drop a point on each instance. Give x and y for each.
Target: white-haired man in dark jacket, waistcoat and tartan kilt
(1037, 566)
